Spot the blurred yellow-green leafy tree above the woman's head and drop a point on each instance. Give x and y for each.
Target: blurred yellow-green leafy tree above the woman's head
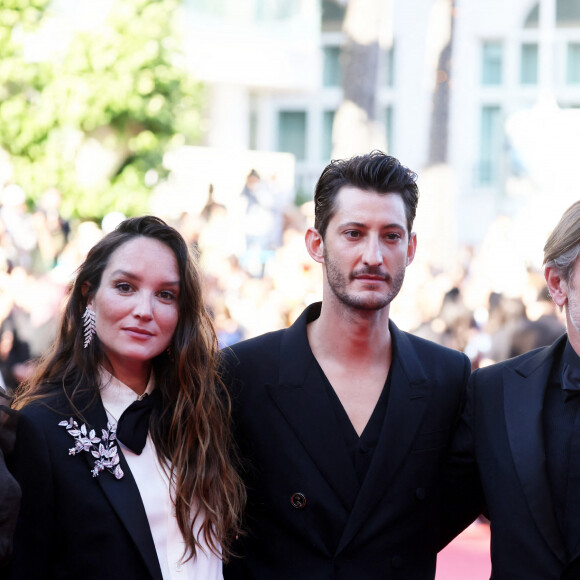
(96, 120)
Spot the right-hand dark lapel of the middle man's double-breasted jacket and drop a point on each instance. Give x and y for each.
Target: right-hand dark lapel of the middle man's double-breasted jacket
(408, 400)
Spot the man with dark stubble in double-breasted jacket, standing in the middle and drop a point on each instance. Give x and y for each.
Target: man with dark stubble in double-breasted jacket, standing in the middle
(343, 420)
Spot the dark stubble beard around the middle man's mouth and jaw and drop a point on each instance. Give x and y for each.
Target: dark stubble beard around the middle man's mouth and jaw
(338, 284)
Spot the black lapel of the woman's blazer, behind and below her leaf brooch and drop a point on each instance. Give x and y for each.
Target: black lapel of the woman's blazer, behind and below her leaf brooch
(123, 495)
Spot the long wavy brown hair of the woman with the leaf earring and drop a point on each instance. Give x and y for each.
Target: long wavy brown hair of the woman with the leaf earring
(191, 428)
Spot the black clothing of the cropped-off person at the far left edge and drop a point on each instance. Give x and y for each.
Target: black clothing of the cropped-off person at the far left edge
(9, 489)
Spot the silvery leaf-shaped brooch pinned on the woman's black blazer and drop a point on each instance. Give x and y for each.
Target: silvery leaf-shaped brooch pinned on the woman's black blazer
(103, 449)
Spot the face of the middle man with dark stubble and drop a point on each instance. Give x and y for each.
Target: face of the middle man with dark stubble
(367, 248)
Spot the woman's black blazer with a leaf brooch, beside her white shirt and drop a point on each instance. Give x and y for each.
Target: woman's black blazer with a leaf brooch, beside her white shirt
(73, 525)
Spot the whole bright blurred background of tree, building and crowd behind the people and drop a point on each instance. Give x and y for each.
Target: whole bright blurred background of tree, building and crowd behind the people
(219, 116)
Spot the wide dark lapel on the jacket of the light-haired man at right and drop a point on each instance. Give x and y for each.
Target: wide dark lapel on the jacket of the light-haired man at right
(524, 389)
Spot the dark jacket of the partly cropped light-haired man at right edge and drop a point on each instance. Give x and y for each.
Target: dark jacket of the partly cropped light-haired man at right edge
(499, 456)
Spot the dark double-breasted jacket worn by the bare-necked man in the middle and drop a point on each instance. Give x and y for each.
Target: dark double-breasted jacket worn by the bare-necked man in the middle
(306, 516)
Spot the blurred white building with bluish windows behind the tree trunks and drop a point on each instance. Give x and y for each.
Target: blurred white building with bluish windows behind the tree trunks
(511, 134)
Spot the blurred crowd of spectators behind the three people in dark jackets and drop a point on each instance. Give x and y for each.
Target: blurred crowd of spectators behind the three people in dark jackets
(258, 277)
